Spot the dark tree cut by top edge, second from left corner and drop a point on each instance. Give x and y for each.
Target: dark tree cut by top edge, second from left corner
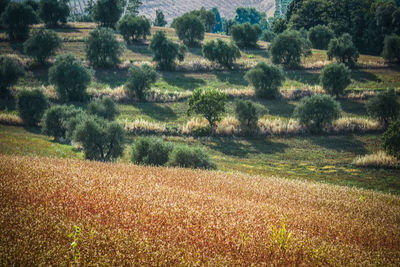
(53, 12)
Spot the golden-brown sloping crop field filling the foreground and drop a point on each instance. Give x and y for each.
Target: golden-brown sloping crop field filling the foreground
(61, 212)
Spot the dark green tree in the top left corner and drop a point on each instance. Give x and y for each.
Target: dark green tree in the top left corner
(17, 17)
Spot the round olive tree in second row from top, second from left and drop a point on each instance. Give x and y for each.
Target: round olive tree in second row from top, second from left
(102, 48)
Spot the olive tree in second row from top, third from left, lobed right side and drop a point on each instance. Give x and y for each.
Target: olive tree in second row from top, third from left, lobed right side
(165, 51)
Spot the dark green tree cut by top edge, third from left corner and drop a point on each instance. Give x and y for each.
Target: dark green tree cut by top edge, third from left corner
(107, 12)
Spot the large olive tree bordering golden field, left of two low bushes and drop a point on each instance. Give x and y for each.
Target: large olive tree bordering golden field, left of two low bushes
(101, 140)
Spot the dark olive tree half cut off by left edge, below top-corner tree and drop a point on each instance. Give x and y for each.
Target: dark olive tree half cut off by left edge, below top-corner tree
(10, 72)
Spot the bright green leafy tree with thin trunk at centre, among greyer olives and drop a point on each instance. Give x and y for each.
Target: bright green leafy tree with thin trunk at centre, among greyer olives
(209, 103)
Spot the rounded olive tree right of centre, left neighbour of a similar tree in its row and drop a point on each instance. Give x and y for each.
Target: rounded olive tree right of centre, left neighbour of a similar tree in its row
(266, 80)
